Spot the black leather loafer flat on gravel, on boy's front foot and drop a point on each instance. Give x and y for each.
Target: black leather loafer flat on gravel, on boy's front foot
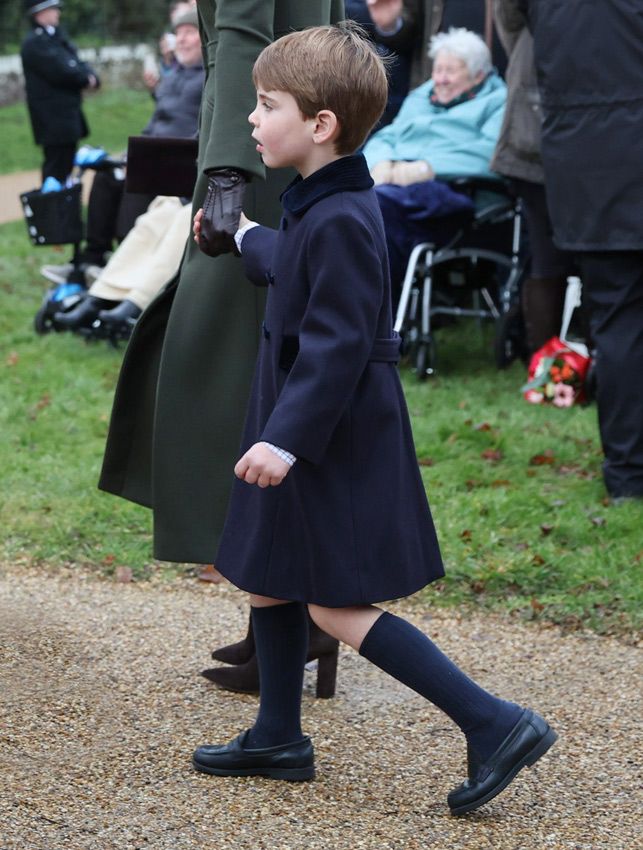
(294, 762)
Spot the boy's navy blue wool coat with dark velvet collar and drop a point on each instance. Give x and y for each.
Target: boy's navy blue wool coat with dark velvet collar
(350, 524)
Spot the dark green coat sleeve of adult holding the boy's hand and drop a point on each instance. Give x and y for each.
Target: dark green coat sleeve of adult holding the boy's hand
(244, 28)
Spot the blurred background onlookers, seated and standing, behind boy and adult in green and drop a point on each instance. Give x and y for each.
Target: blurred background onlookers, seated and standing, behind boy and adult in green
(507, 88)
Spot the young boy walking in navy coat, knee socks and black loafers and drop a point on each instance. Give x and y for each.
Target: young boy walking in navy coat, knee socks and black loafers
(335, 518)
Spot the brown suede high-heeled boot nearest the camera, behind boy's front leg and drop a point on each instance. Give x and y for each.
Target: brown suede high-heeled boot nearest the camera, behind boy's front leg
(244, 678)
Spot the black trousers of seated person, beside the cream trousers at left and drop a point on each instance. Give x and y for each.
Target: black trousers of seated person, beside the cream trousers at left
(111, 214)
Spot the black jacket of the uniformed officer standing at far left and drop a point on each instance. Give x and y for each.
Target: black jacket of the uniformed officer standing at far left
(54, 79)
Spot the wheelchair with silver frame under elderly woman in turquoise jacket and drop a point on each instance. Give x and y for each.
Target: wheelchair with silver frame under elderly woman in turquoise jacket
(476, 274)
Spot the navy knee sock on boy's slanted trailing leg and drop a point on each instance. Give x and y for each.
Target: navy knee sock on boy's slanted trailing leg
(412, 658)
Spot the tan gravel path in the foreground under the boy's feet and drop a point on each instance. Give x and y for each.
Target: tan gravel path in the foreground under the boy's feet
(102, 705)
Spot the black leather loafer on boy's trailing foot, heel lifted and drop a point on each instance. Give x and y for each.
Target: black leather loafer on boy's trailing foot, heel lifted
(530, 739)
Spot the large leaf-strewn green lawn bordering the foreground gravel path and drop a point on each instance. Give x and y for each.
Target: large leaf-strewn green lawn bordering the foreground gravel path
(516, 489)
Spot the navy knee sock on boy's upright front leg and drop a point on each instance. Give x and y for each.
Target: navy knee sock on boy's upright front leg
(281, 640)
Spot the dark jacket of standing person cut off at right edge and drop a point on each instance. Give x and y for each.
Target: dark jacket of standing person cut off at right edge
(589, 58)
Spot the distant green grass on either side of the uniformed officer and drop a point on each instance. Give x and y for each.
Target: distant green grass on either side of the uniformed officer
(112, 115)
